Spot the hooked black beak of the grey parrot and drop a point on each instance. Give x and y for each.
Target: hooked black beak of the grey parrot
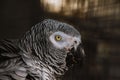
(75, 56)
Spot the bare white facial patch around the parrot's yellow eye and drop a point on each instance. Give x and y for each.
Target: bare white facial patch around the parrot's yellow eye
(67, 41)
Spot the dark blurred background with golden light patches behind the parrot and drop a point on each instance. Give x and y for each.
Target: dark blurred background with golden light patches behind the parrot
(97, 20)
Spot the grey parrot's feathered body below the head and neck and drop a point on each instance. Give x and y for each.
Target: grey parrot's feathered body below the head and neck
(13, 66)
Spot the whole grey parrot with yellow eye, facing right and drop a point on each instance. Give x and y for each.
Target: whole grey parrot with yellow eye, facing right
(45, 52)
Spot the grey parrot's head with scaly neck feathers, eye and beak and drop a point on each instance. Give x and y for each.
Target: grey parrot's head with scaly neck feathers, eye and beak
(53, 43)
